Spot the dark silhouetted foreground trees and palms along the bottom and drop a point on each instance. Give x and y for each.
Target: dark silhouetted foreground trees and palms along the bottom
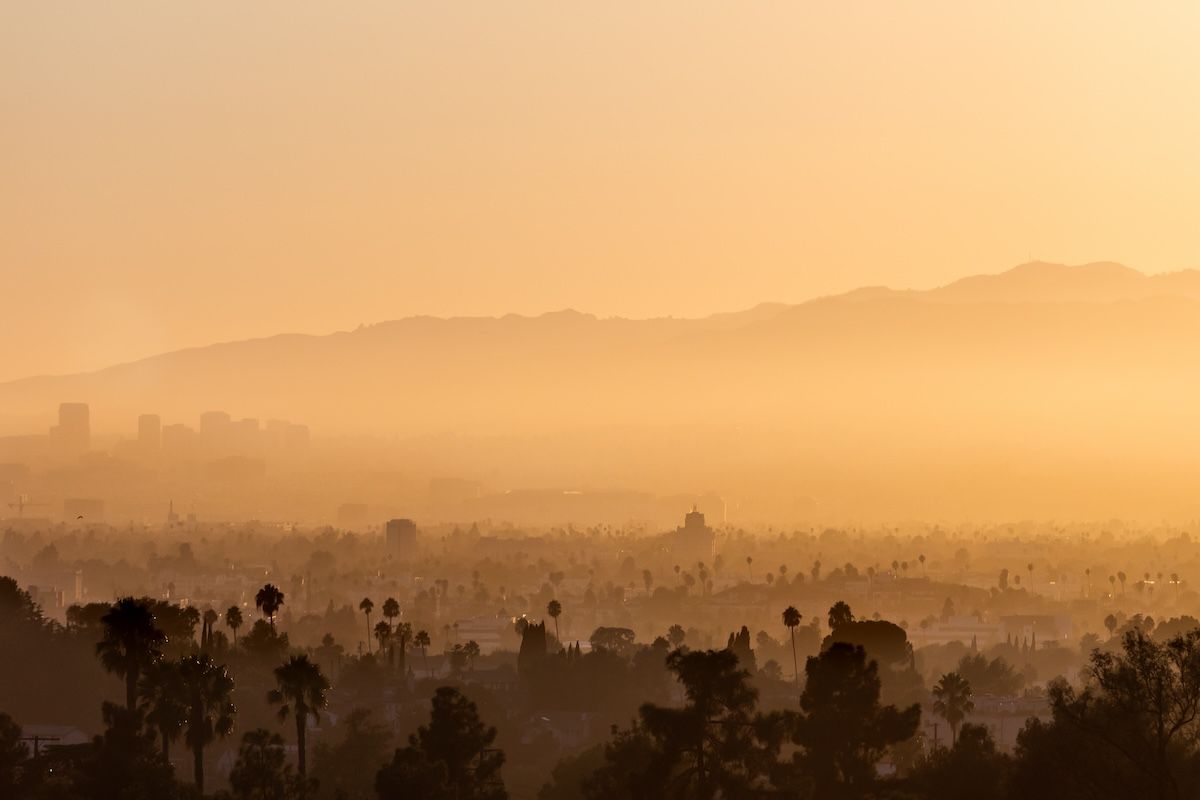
(1131, 730)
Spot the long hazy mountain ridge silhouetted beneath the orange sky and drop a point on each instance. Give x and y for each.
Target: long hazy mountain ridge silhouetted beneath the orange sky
(425, 374)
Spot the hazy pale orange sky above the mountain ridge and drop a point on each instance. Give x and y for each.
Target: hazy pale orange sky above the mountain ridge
(181, 173)
